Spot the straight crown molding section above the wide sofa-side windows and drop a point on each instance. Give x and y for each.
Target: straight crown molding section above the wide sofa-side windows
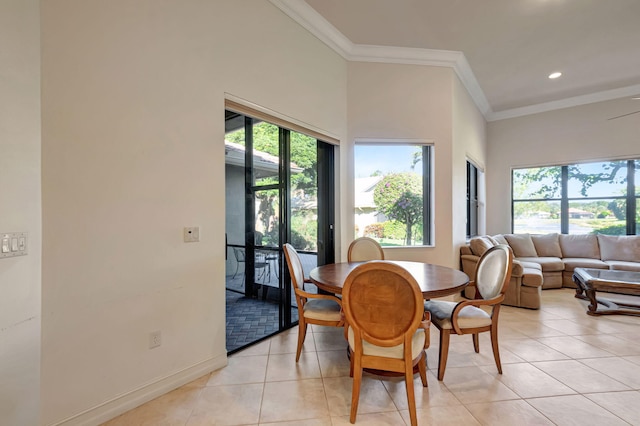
(574, 101)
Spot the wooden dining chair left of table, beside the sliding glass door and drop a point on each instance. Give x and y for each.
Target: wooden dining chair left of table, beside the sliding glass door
(319, 309)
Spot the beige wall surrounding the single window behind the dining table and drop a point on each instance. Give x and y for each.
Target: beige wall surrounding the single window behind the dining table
(394, 101)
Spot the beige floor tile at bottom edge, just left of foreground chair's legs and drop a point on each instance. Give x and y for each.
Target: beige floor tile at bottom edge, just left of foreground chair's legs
(294, 400)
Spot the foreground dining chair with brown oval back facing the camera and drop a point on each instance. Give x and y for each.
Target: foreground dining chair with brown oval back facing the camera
(387, 327)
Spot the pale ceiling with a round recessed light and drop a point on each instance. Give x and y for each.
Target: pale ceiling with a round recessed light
(506, 48)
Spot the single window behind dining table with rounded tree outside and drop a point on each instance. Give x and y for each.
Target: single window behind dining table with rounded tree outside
(392, 193)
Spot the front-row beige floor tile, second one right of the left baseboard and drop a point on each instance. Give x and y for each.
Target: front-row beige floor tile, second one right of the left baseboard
(228, 405)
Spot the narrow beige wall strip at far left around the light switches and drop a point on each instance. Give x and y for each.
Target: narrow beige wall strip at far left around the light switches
(20, 210)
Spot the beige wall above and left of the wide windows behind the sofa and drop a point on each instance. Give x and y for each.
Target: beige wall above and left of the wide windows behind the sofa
(563, 136)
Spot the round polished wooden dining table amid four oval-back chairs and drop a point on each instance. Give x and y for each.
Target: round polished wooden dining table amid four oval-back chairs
(434, 280)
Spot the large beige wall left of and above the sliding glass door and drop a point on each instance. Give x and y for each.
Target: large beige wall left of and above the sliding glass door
(133, 130)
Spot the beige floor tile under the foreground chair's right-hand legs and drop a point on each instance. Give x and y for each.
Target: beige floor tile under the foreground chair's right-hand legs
(436, 394)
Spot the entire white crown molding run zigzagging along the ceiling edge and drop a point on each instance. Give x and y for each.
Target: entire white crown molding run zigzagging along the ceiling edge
(322, 29)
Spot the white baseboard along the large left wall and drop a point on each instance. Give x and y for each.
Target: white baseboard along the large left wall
(127, 401)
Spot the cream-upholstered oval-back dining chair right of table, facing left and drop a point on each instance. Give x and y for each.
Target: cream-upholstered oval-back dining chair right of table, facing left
(466, 317)
